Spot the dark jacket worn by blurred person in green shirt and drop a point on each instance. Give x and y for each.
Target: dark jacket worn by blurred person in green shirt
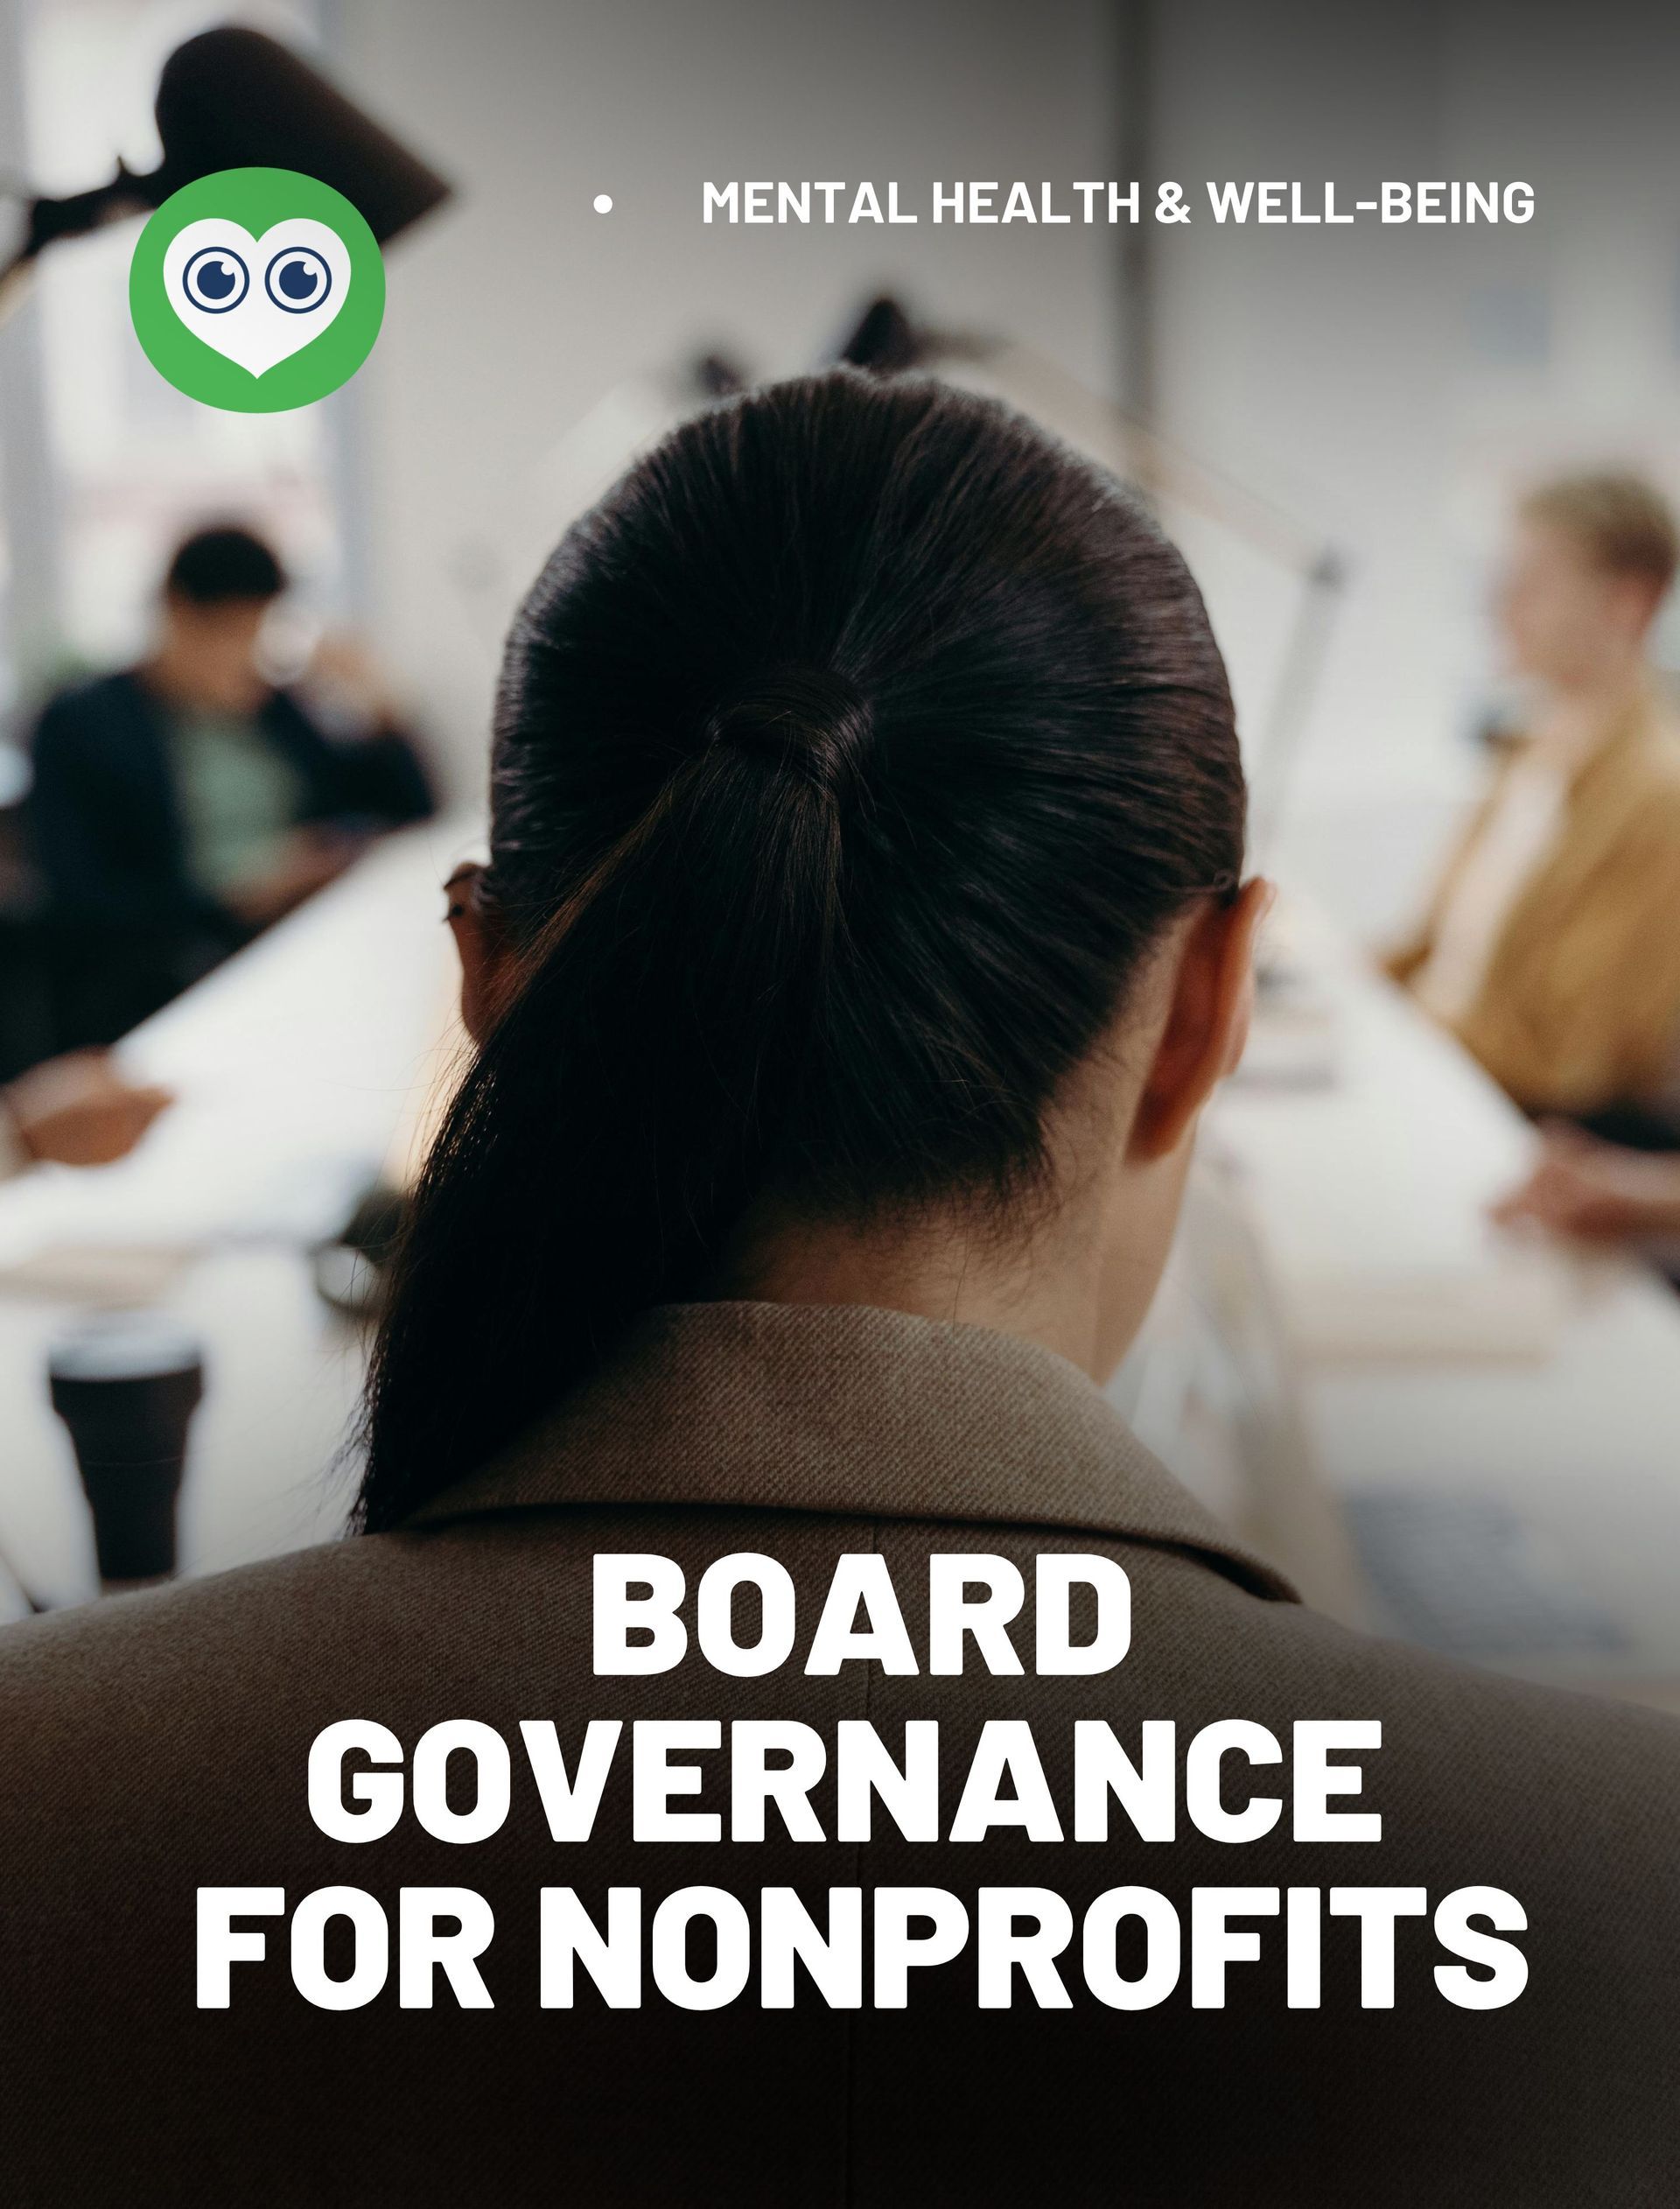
(129, 927)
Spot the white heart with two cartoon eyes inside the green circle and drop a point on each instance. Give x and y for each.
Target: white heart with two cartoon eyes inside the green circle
(281, 290)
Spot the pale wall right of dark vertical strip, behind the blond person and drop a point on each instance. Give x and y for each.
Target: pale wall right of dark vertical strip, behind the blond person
(1396, 385)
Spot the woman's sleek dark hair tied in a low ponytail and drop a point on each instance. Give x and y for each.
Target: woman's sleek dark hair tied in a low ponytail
(849, 759)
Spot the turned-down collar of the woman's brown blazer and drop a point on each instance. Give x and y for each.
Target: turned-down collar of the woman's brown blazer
(860, 1413)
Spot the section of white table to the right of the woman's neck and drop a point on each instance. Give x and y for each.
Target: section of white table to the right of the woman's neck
(1440, 1360)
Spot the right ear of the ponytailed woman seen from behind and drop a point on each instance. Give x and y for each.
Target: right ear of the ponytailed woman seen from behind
(1206, 1024)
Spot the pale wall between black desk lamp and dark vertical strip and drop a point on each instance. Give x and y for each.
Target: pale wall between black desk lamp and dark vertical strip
(515, 310)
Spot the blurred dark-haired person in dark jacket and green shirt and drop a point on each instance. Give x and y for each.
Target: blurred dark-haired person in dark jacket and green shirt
(184, 805)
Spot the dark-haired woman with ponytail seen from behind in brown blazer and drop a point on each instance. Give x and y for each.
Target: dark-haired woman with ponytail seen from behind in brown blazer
(752, 1581)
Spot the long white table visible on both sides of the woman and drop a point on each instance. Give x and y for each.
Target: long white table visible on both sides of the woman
(1425, 1353)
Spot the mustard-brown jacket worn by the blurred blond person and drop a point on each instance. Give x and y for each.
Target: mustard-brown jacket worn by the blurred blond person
(1582, 1000)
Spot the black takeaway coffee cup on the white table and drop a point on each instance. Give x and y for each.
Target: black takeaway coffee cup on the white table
(127, 1388)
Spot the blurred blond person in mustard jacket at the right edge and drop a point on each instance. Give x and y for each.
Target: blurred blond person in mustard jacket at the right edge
(1553, 944)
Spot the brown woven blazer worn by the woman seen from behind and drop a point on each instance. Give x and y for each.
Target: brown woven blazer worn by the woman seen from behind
(158, 1742)
